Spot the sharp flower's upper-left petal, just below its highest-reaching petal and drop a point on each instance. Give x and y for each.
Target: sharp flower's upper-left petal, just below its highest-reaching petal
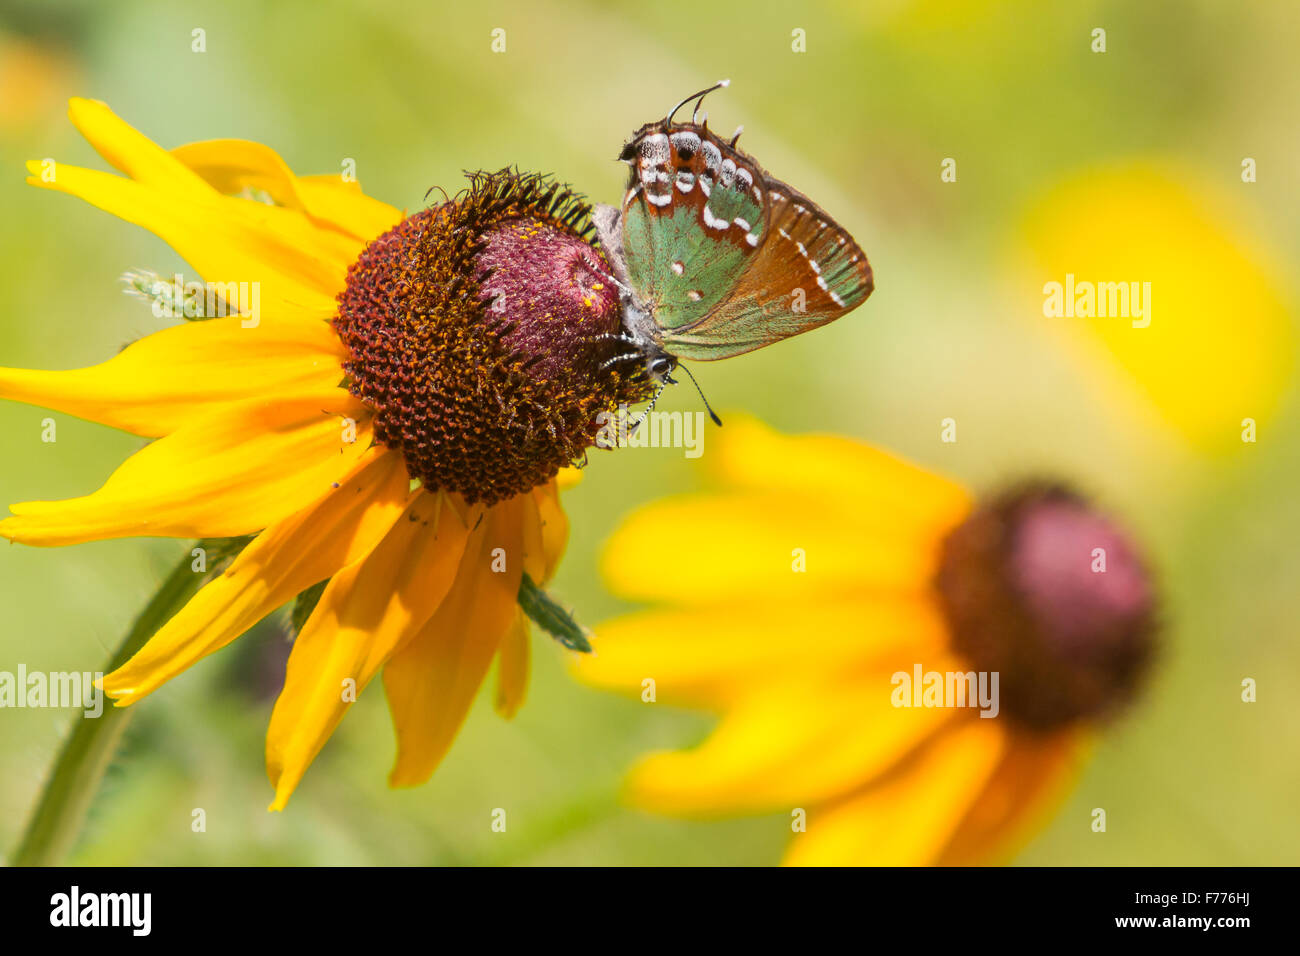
(294, 270)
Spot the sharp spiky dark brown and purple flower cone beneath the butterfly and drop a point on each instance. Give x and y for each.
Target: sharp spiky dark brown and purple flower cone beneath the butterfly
(479, 332)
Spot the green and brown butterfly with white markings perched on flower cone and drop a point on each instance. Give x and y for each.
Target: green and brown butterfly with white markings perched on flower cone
(716, 258)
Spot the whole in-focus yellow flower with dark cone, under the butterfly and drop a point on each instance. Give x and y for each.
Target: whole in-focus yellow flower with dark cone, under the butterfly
(384, 403)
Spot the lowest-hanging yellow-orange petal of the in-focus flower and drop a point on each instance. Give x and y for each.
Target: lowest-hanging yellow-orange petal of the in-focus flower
(366, 615)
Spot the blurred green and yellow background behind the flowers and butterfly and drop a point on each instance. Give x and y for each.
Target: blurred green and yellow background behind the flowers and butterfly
(861, 122)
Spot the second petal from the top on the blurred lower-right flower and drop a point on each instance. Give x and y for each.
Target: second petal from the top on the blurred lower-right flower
(734, 547)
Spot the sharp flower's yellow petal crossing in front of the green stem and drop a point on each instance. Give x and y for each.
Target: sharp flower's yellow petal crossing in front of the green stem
(337, 530)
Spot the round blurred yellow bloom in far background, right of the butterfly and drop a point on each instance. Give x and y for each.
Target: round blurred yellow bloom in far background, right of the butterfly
(1216, 347)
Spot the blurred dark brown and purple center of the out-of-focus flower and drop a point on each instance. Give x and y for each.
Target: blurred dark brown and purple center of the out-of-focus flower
(1054, 598)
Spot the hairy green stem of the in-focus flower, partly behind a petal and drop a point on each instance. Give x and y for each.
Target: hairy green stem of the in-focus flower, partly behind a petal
(89, 751)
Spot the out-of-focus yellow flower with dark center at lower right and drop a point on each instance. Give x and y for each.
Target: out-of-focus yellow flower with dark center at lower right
(844, 613)
